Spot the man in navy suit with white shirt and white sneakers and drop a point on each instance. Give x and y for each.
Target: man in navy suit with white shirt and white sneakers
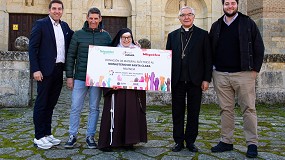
(49, 41)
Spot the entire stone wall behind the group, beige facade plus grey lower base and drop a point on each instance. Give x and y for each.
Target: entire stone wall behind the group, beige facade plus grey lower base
(153, 20)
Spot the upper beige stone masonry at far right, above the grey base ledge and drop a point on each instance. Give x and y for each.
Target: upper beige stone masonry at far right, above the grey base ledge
(269, 16)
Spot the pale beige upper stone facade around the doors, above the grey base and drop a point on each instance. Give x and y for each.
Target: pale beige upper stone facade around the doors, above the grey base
(154, 19)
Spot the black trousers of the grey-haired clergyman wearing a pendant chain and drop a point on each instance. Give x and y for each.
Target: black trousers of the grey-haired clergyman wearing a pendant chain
(194, 95)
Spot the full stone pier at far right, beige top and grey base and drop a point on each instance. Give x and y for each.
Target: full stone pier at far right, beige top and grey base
(269, 16)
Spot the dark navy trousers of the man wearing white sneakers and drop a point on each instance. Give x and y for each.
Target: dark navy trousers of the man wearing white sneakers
(48, 91)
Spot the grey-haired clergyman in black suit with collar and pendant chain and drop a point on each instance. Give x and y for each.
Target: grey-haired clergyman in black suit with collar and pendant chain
(191, 74)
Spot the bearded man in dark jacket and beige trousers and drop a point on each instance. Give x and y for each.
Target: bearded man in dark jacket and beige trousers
(238, 52)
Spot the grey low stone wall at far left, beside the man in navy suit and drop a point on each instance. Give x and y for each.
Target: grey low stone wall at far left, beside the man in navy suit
(15, 87)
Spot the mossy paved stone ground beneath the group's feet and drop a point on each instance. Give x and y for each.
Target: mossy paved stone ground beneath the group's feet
(16, 134)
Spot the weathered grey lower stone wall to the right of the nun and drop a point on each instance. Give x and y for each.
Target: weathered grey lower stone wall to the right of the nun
(270, 85)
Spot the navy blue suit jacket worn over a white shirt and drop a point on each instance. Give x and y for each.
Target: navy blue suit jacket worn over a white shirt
(42, 45)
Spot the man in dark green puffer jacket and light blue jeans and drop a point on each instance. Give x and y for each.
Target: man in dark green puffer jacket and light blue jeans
(76, 66)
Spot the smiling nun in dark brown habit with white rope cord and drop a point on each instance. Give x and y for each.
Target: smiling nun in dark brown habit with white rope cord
(123, 121)
